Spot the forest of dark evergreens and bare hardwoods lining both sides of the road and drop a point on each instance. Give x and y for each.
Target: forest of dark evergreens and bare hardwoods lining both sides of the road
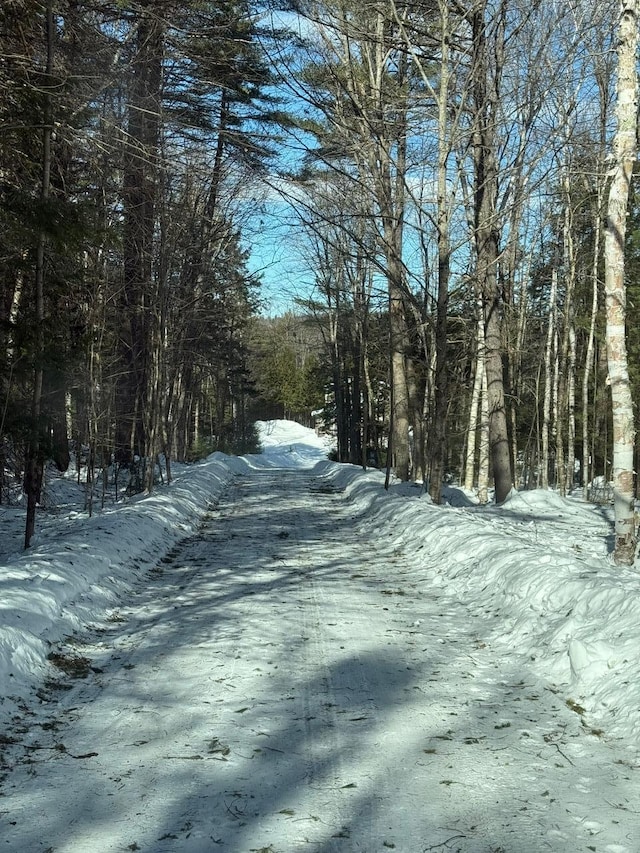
(455, 179)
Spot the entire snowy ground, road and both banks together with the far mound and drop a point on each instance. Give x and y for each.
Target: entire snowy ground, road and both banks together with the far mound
(274, 653)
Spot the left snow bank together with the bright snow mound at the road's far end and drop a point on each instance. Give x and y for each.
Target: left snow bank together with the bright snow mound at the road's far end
(80, 567)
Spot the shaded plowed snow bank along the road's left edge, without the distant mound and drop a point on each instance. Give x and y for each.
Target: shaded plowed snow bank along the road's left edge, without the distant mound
(79, 567)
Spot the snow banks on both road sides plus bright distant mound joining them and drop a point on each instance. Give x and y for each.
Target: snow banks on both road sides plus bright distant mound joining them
(537, 568)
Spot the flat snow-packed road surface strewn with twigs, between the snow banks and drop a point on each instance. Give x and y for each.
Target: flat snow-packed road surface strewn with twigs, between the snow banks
(288, 680)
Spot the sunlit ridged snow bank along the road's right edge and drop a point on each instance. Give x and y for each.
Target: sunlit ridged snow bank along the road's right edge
(539, 569)
